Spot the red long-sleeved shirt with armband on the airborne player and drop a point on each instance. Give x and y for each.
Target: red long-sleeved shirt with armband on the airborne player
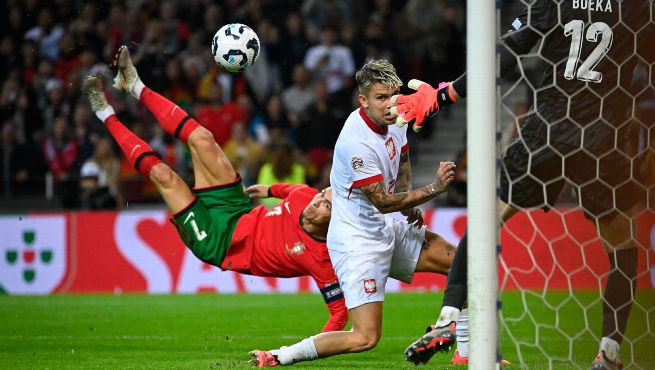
(273, 243)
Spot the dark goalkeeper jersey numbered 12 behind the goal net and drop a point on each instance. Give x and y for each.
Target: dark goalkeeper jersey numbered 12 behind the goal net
(589, 50)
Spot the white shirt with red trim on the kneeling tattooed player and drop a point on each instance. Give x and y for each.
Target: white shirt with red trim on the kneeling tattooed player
(364, 154)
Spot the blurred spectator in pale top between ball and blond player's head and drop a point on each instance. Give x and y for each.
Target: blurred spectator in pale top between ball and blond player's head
(331, 63)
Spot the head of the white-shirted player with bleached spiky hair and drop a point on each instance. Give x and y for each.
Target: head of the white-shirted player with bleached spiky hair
(377, 82)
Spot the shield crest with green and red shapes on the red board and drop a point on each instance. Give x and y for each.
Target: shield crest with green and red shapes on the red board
(32, 253)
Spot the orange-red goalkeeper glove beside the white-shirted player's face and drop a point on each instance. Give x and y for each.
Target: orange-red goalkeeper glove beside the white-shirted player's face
(417, 106)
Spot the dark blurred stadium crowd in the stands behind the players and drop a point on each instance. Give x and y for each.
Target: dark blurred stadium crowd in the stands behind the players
(277, 121)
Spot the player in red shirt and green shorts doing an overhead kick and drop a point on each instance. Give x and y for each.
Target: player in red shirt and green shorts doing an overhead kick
(216, 219)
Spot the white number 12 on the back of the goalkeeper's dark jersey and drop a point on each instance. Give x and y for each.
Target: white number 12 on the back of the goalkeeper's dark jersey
(575, 29)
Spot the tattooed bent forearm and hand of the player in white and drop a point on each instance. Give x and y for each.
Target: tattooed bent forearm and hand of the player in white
(386, 203)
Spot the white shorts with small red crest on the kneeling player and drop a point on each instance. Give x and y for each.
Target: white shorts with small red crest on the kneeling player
(364, 269)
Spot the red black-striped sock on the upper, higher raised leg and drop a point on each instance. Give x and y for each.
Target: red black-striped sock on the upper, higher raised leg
(172, 118)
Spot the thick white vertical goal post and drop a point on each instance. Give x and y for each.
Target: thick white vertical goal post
(481, 123)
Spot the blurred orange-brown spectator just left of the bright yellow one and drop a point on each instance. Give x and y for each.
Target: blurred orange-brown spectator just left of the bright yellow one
(244, 153)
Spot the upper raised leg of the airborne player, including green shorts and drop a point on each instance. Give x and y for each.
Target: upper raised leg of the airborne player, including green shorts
(208, 221)
